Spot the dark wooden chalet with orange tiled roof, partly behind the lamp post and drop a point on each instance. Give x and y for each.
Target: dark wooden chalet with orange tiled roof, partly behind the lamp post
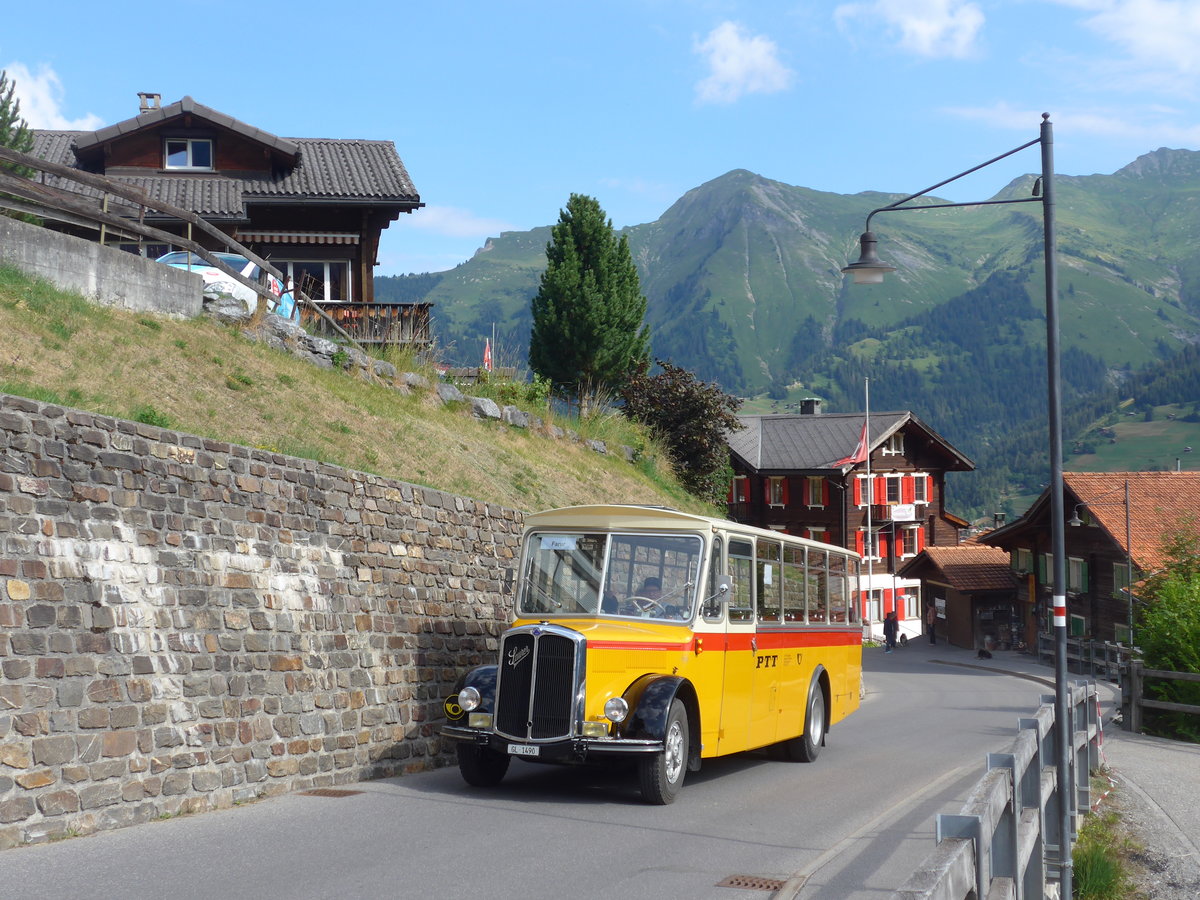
(1111, 543)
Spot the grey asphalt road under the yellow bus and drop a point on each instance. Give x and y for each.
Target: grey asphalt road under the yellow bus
(854, 825)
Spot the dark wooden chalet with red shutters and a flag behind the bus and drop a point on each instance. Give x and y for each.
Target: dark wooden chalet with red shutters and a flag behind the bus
(814, 475)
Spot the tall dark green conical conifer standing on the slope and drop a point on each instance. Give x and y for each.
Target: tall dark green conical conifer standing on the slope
(589, 332)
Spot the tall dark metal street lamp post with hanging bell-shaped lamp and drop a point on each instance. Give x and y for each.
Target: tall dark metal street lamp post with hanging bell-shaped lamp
(869, 269)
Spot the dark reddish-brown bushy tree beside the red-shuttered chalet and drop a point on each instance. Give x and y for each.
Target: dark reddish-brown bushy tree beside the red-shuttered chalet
(692, 419)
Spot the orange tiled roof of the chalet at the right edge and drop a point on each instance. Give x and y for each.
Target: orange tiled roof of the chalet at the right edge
(1160, 505)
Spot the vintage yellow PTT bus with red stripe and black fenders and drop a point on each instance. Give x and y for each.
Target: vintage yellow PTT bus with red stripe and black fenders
(665, 638)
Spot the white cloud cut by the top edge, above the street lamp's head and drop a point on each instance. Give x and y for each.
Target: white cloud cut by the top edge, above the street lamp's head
(928, 28)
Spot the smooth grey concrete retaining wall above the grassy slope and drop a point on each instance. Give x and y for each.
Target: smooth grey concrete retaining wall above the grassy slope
(103, 274)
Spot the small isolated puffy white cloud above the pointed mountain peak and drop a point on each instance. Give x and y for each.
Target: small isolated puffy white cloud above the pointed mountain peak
(740, 63)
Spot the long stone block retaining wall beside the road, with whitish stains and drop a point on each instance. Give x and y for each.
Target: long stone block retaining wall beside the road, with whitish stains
(185, 625)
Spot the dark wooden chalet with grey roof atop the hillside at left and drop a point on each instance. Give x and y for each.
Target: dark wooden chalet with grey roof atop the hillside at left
(313, 207)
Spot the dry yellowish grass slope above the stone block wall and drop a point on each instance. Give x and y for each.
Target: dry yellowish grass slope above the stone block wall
(205, 379)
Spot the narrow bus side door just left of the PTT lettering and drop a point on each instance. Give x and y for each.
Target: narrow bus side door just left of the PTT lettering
(740, 651)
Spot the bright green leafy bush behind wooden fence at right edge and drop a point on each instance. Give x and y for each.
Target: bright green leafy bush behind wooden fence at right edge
(1169, 633)
